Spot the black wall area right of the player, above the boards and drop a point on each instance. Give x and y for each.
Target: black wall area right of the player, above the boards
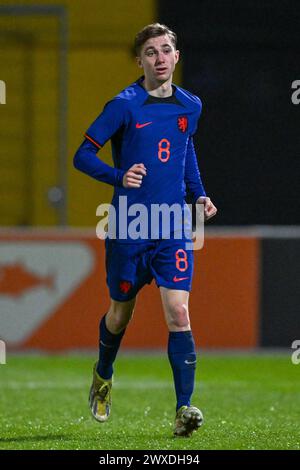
(240, 58)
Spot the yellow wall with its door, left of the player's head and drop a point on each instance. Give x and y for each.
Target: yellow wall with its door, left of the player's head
(100, 64)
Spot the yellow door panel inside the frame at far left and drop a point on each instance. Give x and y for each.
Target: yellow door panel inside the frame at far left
(28, 120)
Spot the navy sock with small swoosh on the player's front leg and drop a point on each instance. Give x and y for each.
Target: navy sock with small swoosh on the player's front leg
(182, 357)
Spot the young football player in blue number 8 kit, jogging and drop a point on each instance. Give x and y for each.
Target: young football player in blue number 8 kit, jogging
(151, 125)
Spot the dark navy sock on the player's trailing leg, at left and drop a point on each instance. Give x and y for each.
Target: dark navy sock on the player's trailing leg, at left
(108, 347)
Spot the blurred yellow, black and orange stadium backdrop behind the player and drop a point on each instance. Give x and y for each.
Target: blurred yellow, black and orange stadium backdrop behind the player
(61, 61)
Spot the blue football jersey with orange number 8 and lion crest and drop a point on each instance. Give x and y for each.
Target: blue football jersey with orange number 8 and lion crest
(157, 132)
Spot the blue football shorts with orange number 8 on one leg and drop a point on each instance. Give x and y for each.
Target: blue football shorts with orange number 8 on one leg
(129, 266)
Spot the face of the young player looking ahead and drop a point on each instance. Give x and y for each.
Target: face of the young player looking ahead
(158, 58)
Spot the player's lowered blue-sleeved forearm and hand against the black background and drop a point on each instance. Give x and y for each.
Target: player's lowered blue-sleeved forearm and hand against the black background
(194, 183)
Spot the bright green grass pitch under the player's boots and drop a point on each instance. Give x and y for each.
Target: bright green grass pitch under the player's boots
(249, 402)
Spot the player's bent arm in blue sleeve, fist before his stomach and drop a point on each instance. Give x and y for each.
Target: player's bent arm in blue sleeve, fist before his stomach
(112, 118)
